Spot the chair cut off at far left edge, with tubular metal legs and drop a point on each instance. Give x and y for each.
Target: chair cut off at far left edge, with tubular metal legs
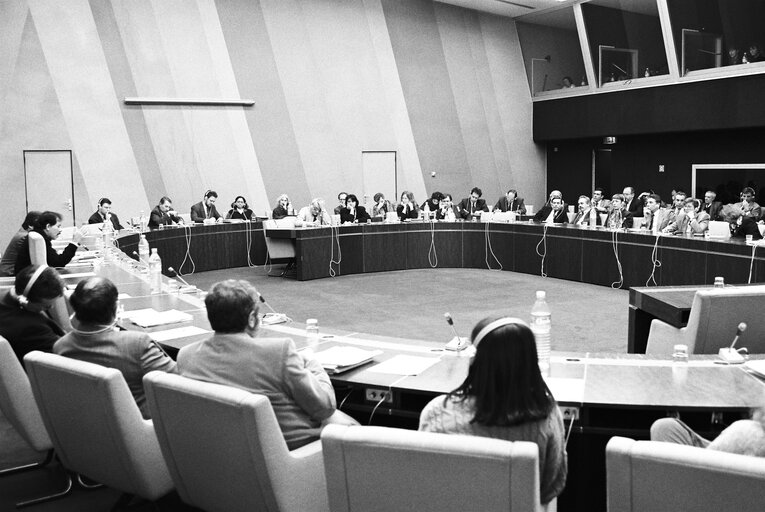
(18, 405)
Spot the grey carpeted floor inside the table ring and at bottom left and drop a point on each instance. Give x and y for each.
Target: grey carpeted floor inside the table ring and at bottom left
(404, 304)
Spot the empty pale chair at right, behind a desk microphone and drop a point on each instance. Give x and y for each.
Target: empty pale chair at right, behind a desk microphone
(715, 315)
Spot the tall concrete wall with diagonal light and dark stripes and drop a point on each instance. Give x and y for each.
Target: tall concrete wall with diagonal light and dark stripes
(443, 86)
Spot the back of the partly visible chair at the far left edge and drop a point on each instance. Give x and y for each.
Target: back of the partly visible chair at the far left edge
(17, 402)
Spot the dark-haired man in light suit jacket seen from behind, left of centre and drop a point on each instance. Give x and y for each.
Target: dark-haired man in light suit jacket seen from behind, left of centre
(297, 386)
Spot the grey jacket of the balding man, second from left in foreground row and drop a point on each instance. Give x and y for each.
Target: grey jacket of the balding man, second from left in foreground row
(133, 353)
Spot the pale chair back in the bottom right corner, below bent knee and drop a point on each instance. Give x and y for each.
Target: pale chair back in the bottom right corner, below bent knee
(647, 476)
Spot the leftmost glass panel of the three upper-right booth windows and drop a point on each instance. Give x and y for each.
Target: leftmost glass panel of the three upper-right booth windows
(551, 51)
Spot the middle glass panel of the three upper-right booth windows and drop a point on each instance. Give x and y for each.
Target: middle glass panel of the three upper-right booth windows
(625, 39)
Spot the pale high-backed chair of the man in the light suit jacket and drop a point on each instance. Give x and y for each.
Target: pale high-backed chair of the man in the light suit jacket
(226, 452)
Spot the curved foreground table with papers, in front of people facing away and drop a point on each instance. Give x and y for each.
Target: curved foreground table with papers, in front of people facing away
(601, 395)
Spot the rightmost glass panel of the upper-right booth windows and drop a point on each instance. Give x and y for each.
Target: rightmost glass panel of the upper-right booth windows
(716, 33)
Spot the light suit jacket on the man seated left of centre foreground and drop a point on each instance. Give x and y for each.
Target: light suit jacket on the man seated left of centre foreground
(297, 386)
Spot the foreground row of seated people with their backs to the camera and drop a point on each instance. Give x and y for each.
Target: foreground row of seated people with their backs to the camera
(503, 396)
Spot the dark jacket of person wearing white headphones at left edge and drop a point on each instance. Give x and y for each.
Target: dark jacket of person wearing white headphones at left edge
(26, 331)
